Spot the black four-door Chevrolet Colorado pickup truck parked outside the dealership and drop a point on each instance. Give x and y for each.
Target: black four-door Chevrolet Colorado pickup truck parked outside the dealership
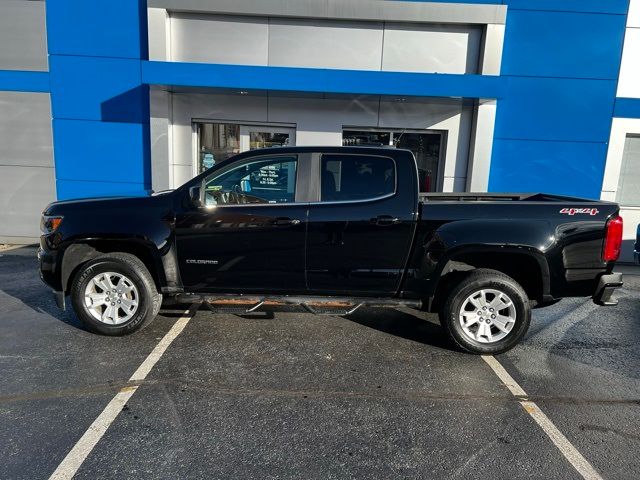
(316, 226)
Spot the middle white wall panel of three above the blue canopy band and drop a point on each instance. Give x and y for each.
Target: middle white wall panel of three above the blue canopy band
(325, 44)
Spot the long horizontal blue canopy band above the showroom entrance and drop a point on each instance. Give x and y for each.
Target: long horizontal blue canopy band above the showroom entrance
(321, 80)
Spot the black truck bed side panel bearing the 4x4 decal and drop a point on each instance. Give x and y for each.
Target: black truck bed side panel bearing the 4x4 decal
(567, 248)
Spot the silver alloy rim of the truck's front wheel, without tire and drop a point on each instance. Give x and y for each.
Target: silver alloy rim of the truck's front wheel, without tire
(111, 298)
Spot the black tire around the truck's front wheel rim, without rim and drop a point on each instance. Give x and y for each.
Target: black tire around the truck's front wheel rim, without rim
(149, 301)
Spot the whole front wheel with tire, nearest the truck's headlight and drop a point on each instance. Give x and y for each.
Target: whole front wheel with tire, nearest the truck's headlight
(114, 294)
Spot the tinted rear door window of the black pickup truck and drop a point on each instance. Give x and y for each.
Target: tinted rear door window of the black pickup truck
(356, 177)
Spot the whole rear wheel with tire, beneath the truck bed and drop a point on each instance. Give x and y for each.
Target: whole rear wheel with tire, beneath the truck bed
(487, 312)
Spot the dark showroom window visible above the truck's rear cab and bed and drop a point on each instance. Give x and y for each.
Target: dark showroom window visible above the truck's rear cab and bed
(427, 147)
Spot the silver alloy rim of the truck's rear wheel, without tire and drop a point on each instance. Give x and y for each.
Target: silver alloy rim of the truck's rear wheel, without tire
(487, 315)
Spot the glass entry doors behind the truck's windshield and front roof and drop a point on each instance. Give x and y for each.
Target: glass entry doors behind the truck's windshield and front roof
(218, 141)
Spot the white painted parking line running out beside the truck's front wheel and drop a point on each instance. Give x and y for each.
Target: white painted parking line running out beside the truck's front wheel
(81, 450)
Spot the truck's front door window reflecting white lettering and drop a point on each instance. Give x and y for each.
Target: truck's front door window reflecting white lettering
(269, 180)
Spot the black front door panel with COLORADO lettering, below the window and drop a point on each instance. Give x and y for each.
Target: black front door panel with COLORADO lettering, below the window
(242, 248)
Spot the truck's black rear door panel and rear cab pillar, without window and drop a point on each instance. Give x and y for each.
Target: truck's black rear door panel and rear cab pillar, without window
(361, 247)
